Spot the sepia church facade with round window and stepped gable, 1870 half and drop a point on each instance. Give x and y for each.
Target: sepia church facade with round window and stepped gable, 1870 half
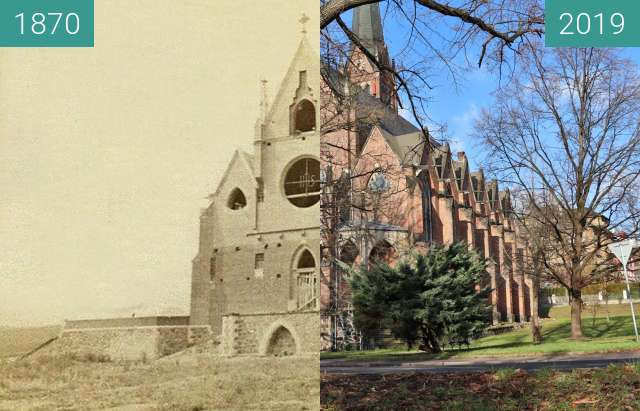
(255, 278)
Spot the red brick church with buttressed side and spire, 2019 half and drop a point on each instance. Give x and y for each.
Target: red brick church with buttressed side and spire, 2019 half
(394, 192)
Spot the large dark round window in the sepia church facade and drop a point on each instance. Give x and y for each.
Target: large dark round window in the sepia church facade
(302, 183)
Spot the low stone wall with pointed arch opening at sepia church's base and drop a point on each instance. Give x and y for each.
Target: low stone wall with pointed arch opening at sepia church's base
(260, 333)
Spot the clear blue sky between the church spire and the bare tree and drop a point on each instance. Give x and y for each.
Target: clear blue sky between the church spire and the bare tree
(457, 107)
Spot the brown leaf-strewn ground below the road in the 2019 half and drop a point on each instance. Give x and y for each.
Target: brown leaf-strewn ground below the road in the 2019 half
(612, 388)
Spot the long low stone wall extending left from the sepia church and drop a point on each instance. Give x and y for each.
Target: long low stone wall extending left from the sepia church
(128, 343)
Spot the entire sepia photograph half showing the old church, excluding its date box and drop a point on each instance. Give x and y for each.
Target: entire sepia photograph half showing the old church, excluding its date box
(160, 230)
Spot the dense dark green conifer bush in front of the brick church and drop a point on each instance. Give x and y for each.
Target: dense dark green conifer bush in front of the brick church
(433, 300)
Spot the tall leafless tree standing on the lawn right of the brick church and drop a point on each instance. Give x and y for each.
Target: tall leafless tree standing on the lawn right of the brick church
(566, 133)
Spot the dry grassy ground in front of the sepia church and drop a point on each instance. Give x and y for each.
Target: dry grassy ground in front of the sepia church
(192, 383)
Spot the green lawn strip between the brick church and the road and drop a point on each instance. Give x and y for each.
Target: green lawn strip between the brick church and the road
(600, 336)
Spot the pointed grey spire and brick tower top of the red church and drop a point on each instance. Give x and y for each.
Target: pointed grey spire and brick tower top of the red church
(367, 26)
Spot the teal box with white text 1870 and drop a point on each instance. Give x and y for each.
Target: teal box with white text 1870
(46, 23)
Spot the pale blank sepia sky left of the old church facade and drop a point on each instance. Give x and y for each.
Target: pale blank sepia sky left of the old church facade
(107, 154)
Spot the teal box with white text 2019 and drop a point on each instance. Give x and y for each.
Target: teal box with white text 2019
(592, 23)
